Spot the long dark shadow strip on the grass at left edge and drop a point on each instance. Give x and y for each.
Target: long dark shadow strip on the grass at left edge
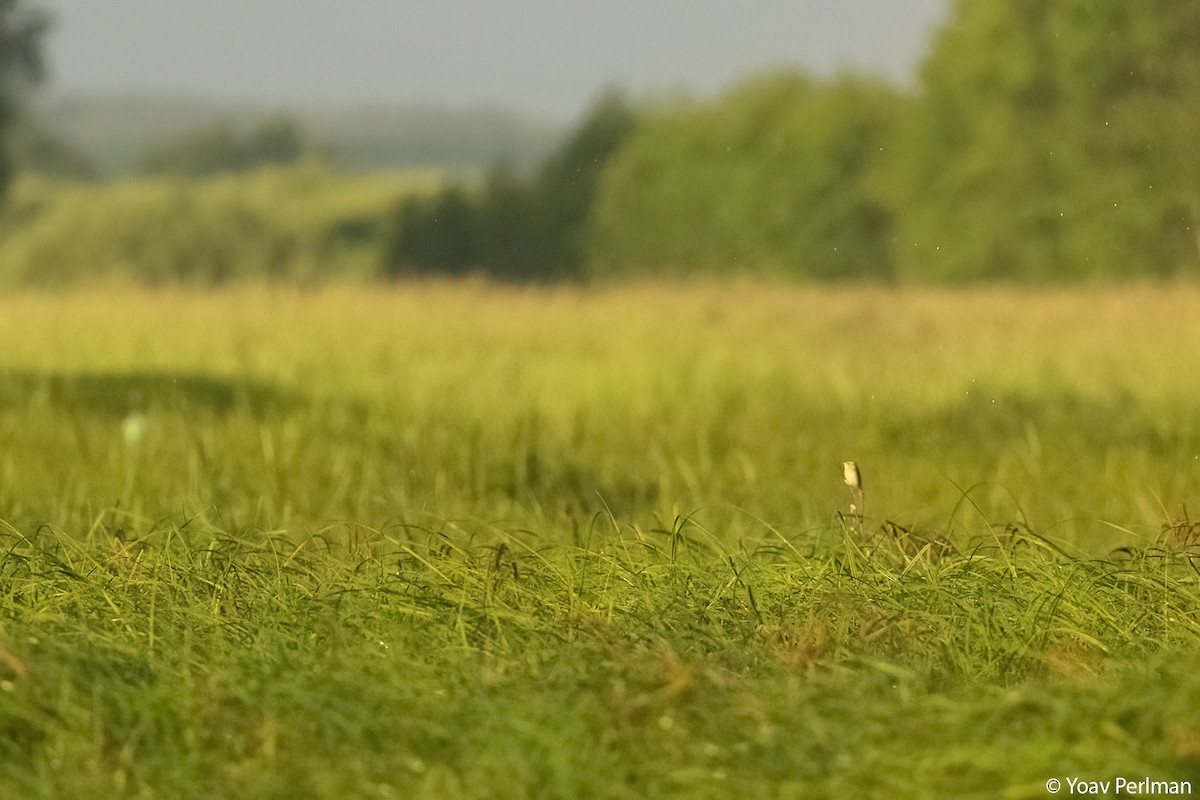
(122, 394)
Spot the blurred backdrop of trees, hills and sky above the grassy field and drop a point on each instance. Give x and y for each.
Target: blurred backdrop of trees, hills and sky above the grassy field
(908, 142)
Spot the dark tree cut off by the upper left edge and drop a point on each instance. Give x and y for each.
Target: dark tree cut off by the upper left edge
(22, 29)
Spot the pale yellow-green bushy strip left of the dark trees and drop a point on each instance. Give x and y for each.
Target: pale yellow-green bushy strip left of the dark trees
(301, 222)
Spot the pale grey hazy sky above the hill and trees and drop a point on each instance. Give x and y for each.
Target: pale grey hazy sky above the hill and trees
(543, 57)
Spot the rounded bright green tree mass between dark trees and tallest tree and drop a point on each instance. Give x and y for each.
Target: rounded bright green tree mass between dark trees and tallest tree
(772, 178)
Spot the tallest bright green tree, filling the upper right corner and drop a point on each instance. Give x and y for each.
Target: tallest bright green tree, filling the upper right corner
(1053, 141)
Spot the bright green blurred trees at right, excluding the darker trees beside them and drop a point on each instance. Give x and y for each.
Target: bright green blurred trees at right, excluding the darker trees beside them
(1046, 142)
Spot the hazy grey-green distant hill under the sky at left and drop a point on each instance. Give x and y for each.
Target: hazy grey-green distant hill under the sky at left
(115, 131)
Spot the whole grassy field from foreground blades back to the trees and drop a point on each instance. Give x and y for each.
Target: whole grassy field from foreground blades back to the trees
(463, 542)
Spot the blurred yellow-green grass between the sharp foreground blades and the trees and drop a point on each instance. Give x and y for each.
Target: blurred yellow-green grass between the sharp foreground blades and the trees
(1075, 413)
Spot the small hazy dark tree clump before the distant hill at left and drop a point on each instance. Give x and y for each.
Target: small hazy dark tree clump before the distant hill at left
(277, 141)
